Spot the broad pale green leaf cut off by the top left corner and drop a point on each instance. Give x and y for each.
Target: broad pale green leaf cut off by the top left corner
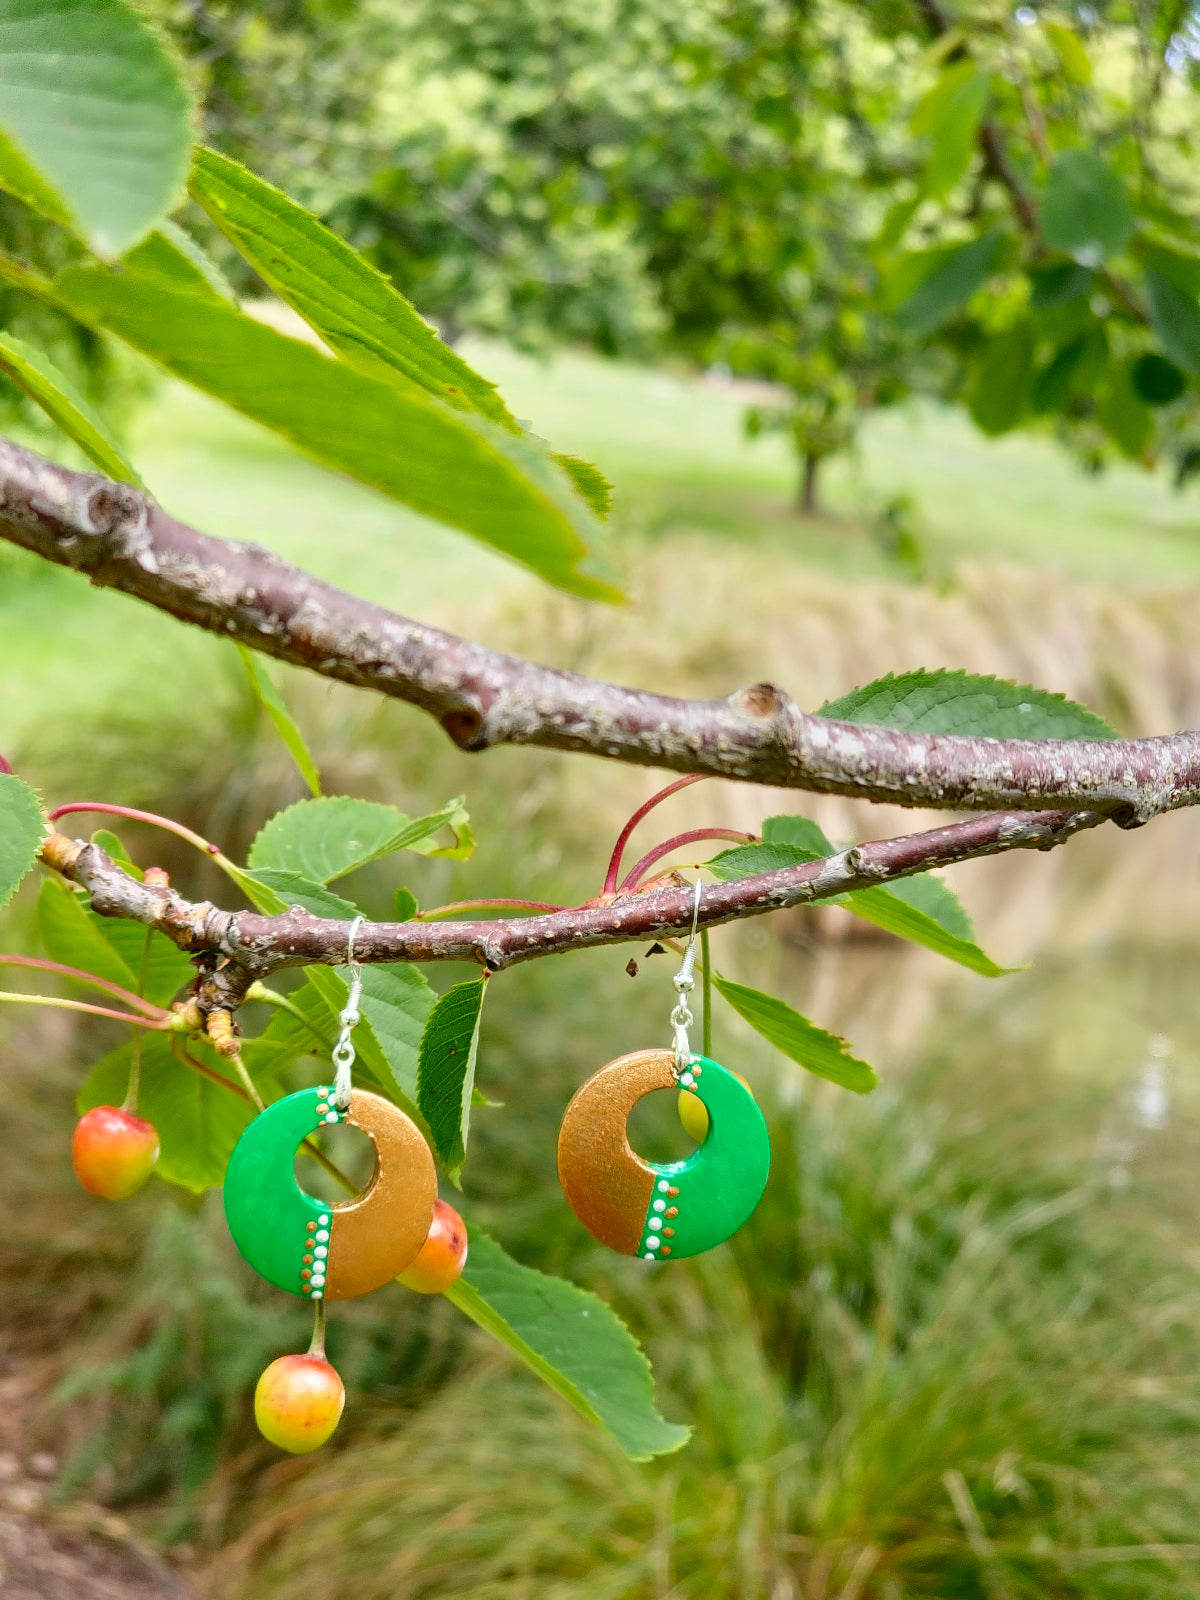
(95, 106)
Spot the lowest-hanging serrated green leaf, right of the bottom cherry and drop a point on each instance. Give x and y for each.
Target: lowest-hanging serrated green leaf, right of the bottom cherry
(572, 1342)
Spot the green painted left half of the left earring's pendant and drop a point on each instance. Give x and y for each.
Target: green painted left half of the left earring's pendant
(266, 1209)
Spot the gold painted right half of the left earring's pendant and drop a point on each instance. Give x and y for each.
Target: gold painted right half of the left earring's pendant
(378, 1234)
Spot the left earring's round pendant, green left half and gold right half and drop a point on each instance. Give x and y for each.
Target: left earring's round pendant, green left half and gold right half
(306, 1246)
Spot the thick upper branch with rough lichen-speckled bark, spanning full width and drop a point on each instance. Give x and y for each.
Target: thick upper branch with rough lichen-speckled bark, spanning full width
(122, 540)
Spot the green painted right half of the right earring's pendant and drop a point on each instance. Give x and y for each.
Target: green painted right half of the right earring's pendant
(722, 1182)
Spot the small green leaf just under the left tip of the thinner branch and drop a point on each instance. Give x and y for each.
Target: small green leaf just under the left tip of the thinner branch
(108, 946)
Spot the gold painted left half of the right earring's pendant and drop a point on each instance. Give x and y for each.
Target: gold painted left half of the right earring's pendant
(607, 1185)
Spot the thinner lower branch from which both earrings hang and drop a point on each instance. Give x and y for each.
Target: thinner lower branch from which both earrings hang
(254, 946)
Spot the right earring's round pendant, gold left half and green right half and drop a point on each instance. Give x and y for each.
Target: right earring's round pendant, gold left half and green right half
(663, 1209)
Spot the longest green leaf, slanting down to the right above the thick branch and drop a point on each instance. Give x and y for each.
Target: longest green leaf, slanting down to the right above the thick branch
(455, 466)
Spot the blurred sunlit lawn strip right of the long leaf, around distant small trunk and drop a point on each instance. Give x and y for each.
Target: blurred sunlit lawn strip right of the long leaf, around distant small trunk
(678, 457)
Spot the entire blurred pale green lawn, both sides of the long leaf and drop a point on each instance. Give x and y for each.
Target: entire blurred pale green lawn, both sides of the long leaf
(681, 466)
